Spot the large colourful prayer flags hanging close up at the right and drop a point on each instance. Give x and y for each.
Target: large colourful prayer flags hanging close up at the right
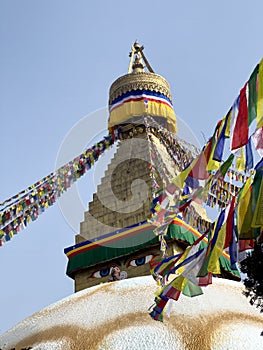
(240, 221)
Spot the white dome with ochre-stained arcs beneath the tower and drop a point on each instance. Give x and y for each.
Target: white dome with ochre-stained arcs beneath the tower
(115, 316)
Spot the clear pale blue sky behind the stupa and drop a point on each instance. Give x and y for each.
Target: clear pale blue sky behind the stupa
(58, 59)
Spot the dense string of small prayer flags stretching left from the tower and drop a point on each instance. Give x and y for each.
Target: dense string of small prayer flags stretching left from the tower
(40, 196)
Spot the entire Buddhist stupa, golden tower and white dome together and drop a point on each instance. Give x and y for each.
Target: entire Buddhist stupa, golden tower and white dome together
(132, 225)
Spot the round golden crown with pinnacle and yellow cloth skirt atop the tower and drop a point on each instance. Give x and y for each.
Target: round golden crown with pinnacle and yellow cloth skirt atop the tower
(124, 106)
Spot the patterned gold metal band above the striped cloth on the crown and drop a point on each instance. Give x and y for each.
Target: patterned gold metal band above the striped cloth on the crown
(139, 81)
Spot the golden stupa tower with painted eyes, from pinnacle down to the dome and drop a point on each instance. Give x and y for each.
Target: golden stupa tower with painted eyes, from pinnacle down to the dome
(115, 232)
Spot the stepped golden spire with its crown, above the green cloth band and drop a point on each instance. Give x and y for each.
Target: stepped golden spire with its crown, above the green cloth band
(124, 196)
